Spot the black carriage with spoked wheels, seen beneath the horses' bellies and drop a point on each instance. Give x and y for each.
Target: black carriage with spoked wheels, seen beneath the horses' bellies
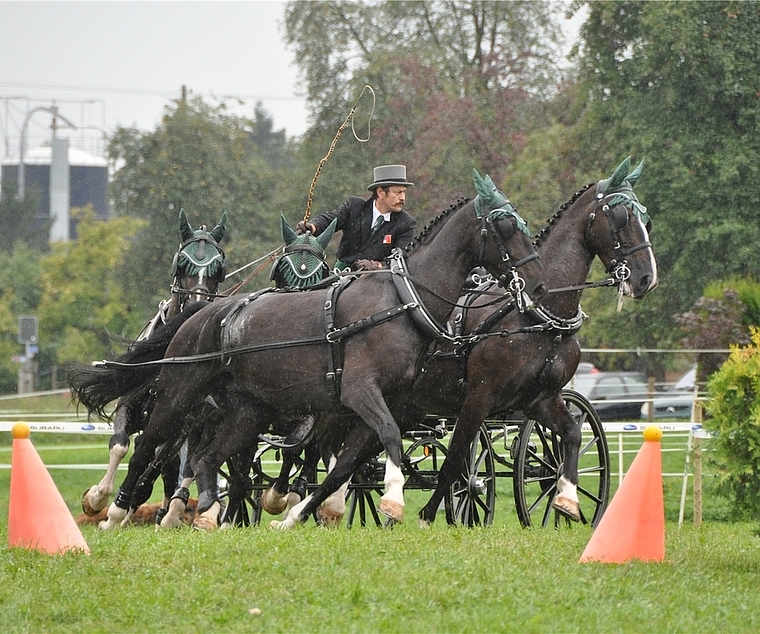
(510, 450)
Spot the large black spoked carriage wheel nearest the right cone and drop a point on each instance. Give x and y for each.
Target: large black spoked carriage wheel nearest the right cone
(538, 462)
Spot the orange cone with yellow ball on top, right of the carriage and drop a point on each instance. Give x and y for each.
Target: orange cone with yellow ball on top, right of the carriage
(633, 527)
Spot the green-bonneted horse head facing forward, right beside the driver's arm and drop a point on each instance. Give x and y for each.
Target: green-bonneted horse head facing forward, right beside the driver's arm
(303, 262)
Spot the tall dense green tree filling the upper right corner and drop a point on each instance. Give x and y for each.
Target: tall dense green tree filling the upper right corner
(676, 83)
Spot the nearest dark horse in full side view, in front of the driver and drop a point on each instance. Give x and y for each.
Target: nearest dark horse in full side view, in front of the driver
(276, 355)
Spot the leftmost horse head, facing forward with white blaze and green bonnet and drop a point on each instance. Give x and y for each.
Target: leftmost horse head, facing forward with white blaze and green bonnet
(198, 265)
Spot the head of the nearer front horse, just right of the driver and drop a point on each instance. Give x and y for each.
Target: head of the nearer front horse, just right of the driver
(499, 217)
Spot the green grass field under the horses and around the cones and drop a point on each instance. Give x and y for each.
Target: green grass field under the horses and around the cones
(499, 579)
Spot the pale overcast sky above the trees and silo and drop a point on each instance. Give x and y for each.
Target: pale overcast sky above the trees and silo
(110, 63)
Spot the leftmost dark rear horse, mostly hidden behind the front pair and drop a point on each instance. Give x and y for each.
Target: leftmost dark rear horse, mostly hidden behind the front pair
(197, 269)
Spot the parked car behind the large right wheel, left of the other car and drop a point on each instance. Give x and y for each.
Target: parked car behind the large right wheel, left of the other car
(614, 395)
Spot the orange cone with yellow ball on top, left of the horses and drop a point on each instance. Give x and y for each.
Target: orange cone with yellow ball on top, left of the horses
(38, 517)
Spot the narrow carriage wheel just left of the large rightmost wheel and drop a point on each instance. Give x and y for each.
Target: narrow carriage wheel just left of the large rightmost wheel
(472, 498)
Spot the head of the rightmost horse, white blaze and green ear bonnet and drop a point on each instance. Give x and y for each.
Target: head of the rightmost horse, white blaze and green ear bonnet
(618, 229)
